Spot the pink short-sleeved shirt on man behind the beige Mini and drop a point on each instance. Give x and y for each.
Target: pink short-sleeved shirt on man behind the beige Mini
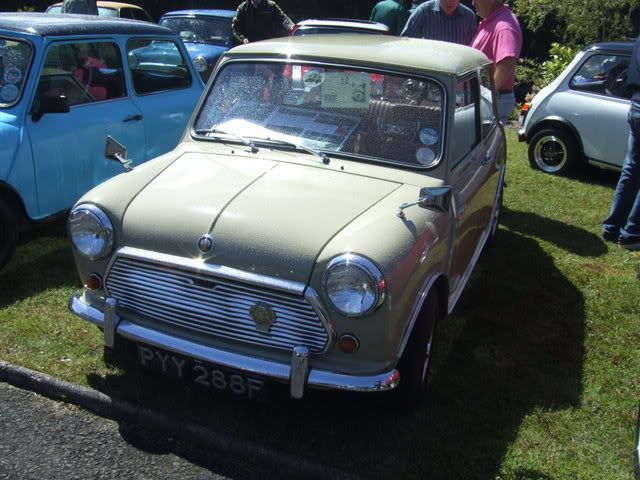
(499, 36)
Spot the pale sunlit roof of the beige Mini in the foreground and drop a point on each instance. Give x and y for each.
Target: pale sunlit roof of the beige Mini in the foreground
(381, 51)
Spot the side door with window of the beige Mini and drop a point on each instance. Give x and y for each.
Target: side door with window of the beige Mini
(472, 175)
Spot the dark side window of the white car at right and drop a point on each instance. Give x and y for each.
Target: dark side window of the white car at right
(603, 74)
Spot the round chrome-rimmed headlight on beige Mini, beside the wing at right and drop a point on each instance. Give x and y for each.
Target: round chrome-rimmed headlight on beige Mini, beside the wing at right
(354, 285)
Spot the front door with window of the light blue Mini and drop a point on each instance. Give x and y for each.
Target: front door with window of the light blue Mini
(68, 148)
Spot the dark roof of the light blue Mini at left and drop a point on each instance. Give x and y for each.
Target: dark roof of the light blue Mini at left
(53, 25)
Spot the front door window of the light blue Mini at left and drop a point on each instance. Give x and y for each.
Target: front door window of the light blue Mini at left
(83, 72)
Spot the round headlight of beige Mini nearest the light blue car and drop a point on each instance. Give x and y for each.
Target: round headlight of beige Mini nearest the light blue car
(90, 231)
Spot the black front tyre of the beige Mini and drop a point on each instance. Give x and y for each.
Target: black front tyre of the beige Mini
(415, 364)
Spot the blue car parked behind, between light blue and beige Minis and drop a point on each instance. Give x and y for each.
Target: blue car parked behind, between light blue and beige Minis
(206, 34)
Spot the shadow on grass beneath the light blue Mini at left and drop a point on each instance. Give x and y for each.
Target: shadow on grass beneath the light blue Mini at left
(43, 260)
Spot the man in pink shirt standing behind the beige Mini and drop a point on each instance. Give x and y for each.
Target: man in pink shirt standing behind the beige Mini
(499, 37)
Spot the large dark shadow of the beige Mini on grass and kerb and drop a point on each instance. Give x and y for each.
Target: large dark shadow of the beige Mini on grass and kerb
(514, 344)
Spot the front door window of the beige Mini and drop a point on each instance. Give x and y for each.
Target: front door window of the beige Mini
(466, 133)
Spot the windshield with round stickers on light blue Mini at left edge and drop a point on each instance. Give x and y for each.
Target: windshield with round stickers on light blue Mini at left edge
(15, 57)
